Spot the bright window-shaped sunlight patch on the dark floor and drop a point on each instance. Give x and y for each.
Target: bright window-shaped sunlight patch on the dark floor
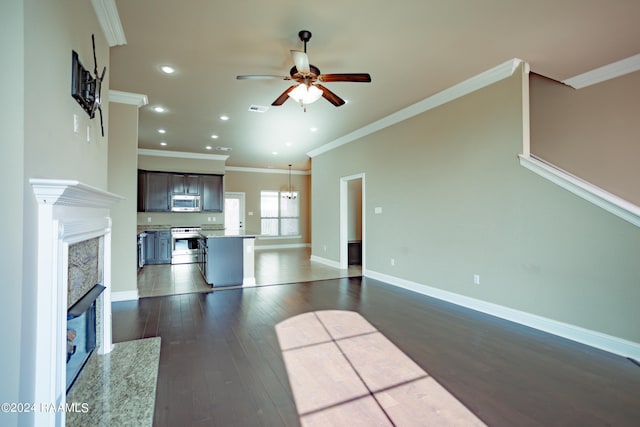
(343, 371)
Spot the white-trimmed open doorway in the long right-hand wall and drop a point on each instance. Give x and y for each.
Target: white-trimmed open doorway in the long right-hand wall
(352, 221)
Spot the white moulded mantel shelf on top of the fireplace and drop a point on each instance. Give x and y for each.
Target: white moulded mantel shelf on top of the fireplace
(71, 193)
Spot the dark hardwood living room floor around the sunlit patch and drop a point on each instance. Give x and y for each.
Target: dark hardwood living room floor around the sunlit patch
(221, 365)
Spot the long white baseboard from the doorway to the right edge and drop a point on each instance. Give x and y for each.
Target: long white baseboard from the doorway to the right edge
(591, 338)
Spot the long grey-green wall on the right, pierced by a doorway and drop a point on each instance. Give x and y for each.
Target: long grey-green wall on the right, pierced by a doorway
(455, 203)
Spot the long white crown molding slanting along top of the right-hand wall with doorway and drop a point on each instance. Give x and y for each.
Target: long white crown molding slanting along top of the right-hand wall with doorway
(472, 84)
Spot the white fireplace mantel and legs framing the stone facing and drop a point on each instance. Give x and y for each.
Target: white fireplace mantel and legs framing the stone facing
(69, 212)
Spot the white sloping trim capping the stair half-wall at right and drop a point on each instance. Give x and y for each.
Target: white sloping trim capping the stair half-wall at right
(596, 195)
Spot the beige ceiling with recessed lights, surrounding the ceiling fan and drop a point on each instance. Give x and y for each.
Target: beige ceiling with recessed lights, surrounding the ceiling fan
(412, 49)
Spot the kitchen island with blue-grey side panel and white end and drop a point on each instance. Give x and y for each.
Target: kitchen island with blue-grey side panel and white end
(226, 257)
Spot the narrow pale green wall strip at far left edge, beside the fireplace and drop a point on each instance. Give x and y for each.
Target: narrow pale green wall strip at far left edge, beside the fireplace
(12, 222)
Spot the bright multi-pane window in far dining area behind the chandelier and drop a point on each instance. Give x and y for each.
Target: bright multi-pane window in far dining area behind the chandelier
(279, 216)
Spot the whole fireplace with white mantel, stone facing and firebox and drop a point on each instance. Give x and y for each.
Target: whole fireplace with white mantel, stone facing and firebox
(74, 253)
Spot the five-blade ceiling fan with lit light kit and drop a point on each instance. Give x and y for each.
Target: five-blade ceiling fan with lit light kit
(308, 77)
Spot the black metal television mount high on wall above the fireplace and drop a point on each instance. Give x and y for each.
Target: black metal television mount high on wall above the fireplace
(85, 88)
